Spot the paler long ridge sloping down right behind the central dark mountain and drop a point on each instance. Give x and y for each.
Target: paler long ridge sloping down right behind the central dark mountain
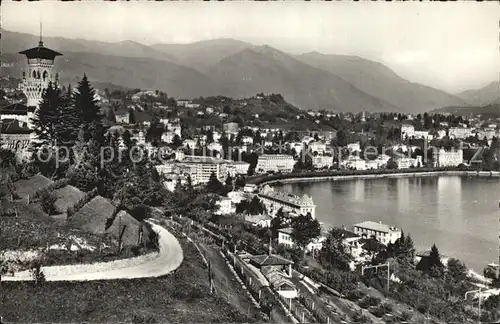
(378, 80)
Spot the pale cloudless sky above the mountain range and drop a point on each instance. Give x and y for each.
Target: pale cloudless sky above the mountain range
(449, 46)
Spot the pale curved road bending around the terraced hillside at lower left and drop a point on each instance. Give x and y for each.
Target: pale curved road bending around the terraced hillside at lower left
(155, 264)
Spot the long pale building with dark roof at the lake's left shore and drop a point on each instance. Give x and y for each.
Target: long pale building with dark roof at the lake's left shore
(275, 200)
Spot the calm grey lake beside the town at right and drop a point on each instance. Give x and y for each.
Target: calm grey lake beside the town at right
(459, 214)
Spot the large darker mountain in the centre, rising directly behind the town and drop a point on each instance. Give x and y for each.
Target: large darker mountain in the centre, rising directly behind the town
(265, 69)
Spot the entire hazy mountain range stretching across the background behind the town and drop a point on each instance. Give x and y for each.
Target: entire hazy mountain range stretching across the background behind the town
(234, 68)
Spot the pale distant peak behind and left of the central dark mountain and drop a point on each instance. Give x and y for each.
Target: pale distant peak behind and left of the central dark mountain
(201, 55)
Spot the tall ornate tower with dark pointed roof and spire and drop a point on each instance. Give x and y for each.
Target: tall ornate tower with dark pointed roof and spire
(39, 73)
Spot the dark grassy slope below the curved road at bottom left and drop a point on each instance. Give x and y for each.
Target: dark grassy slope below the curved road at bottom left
(179, 297)
